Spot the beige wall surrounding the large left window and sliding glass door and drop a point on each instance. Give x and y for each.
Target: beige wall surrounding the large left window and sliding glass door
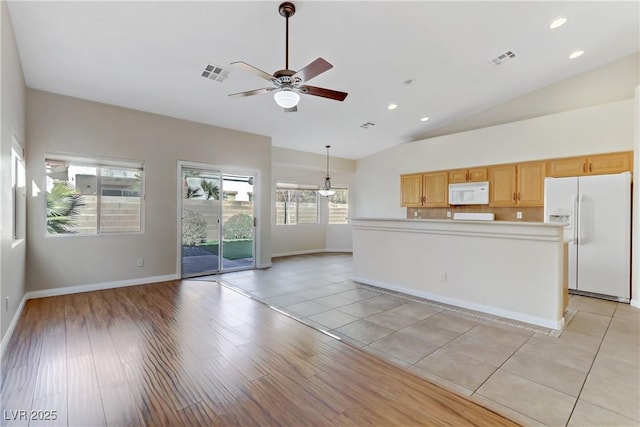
(58, 123)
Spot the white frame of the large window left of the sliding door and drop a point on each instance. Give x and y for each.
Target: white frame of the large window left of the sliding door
(99, 163)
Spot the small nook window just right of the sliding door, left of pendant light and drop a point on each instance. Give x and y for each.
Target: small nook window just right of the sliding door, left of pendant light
(296, 204)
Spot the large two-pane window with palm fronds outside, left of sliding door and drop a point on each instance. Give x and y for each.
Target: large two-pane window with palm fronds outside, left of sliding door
(93, 196)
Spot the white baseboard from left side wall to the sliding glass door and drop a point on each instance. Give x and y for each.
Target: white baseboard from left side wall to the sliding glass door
(74, 290)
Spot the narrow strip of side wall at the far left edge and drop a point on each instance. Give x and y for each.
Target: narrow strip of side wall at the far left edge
(12, 93)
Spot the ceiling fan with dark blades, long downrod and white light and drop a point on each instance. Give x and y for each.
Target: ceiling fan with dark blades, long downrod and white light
(288, 84)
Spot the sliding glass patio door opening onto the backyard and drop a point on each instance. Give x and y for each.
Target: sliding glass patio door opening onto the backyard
(217, 221)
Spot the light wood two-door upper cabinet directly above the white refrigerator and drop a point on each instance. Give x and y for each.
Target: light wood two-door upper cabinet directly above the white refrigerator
(598, 164)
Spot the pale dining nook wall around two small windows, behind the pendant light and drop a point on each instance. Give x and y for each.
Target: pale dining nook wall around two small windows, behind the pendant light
(298, 167)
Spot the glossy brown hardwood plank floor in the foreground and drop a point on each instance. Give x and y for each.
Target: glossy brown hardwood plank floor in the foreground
(188, 353)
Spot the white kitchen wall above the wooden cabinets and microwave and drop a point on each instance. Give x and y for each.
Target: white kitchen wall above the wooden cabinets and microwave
(600, 129)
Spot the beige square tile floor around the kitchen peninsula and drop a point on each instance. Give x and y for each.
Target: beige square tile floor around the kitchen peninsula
(585, 375)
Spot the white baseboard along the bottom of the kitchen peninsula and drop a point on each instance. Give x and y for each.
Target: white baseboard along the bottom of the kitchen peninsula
(495, 311)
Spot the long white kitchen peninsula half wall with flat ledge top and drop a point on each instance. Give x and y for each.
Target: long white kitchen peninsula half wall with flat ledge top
(509, 269)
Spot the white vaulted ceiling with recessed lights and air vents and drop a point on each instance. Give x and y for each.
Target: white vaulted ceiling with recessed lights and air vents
(433, 59)
